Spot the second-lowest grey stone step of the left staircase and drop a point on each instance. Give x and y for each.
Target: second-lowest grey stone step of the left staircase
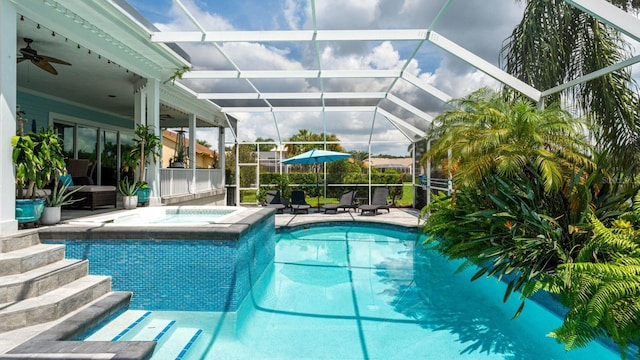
(41, 280)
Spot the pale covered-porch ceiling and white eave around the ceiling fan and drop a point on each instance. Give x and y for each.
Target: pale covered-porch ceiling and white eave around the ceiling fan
(107, 63)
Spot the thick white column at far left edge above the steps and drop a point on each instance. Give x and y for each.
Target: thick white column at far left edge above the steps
(8, 46)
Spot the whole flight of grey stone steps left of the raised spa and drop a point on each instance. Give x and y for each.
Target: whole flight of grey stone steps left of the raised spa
(40, 289)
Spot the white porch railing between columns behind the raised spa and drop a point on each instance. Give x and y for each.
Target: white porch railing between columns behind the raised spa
(180, 181)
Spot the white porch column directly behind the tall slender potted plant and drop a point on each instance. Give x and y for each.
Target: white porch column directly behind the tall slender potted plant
(153, 119)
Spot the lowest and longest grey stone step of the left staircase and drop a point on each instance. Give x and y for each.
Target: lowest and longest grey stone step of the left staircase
(53, 304)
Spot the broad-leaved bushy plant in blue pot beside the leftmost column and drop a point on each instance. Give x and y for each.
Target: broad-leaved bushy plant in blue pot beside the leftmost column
(37, 157)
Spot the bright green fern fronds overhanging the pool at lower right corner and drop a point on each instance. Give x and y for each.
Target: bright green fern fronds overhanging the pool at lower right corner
(602, 287)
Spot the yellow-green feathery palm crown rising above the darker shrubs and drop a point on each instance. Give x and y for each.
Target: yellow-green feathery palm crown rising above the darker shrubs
(486, 133)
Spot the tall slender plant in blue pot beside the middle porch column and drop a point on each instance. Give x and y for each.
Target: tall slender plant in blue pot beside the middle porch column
(146, 150)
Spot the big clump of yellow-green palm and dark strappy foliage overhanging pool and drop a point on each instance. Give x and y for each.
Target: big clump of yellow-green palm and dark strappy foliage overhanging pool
(526, 194)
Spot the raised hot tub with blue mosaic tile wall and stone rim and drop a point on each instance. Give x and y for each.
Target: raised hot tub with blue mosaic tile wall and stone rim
(220, 252)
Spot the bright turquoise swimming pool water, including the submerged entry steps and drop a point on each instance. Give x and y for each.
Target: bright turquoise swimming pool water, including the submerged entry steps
(355, 292)
